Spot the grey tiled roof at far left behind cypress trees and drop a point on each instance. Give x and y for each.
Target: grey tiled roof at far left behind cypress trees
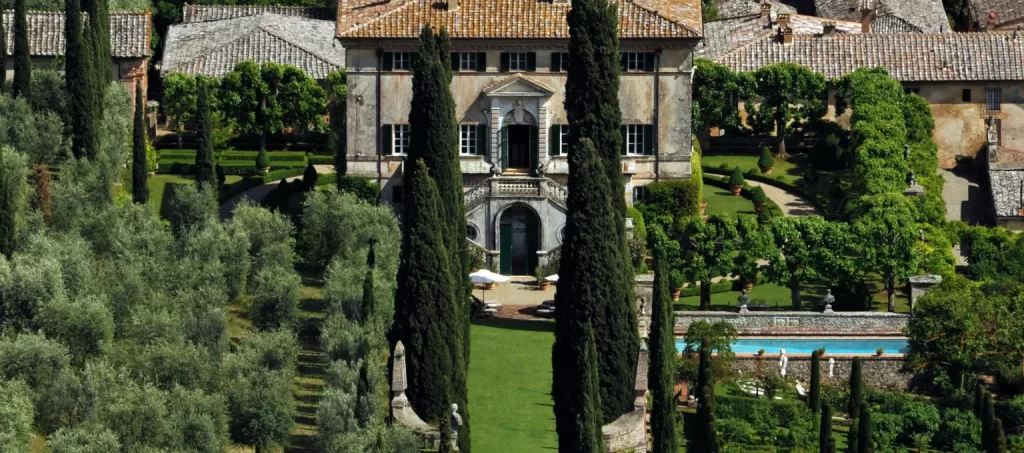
(130, 34)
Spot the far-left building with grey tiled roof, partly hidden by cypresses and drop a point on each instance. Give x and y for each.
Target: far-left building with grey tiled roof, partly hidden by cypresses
(131, 50)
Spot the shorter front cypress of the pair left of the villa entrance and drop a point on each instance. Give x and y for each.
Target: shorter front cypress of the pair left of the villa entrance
(423, 315)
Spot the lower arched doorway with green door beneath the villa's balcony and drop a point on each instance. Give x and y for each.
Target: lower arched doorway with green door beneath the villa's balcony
(520, 239)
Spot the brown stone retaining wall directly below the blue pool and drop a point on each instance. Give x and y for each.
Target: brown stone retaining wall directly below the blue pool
(878, 373)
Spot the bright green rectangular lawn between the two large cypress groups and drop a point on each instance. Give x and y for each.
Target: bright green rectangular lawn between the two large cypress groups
(510, 387)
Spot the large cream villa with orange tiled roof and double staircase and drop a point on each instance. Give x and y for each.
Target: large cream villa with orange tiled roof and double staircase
(511, 62)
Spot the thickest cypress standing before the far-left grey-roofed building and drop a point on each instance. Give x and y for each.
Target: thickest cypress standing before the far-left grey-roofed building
(79, 83)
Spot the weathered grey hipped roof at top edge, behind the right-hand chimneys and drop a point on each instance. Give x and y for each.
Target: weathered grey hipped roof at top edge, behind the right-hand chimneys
(919, 16)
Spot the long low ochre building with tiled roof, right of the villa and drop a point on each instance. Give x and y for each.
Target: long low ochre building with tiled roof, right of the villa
(966, 77)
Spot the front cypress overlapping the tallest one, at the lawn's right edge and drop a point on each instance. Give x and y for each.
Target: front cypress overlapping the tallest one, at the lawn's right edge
(584, 273)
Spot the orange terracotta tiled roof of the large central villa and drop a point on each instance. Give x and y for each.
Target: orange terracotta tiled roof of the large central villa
(511, 19)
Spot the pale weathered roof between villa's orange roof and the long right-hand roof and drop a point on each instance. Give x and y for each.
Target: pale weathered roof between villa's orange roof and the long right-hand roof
(724, 36)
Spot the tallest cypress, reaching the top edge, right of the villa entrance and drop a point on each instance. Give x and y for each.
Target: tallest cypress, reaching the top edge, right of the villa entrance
(593, 113)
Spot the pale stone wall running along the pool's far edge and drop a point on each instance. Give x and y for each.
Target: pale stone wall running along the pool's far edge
(800, 323)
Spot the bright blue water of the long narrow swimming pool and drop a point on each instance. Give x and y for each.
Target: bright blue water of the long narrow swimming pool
(808, 346)
